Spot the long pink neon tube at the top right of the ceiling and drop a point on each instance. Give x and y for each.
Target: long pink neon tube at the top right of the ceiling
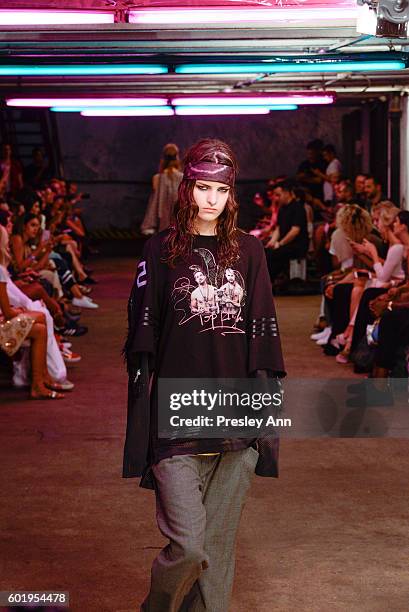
(240, 14)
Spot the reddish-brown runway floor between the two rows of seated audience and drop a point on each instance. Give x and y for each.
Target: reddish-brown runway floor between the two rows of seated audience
(330, 535)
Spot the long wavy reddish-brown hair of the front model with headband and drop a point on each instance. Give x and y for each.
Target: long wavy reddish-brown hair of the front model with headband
(180, 239)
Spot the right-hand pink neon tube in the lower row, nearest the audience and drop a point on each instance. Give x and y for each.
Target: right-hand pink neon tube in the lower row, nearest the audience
(254, 100)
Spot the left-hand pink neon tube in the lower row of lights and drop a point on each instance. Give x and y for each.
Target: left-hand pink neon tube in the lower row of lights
(48, 102)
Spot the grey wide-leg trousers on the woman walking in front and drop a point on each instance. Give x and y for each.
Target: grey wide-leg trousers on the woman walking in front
(199, 500)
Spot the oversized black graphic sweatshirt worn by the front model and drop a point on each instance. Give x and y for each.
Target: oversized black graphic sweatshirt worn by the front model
(197, 320)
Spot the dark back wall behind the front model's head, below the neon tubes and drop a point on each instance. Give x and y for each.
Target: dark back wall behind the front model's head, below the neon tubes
(108, 155)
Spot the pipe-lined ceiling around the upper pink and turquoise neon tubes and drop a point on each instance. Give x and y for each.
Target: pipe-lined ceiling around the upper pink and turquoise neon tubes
(173, 44)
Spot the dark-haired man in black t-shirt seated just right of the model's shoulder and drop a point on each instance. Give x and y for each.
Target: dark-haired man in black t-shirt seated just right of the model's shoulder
(290, 238)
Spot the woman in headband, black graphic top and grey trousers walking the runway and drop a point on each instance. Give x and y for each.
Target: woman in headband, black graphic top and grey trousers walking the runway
(178, 328)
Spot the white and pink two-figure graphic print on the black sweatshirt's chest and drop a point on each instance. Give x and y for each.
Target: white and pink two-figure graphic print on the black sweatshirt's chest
(212, 294)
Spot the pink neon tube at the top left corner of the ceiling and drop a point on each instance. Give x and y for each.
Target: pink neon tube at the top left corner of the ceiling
(21, 17)
